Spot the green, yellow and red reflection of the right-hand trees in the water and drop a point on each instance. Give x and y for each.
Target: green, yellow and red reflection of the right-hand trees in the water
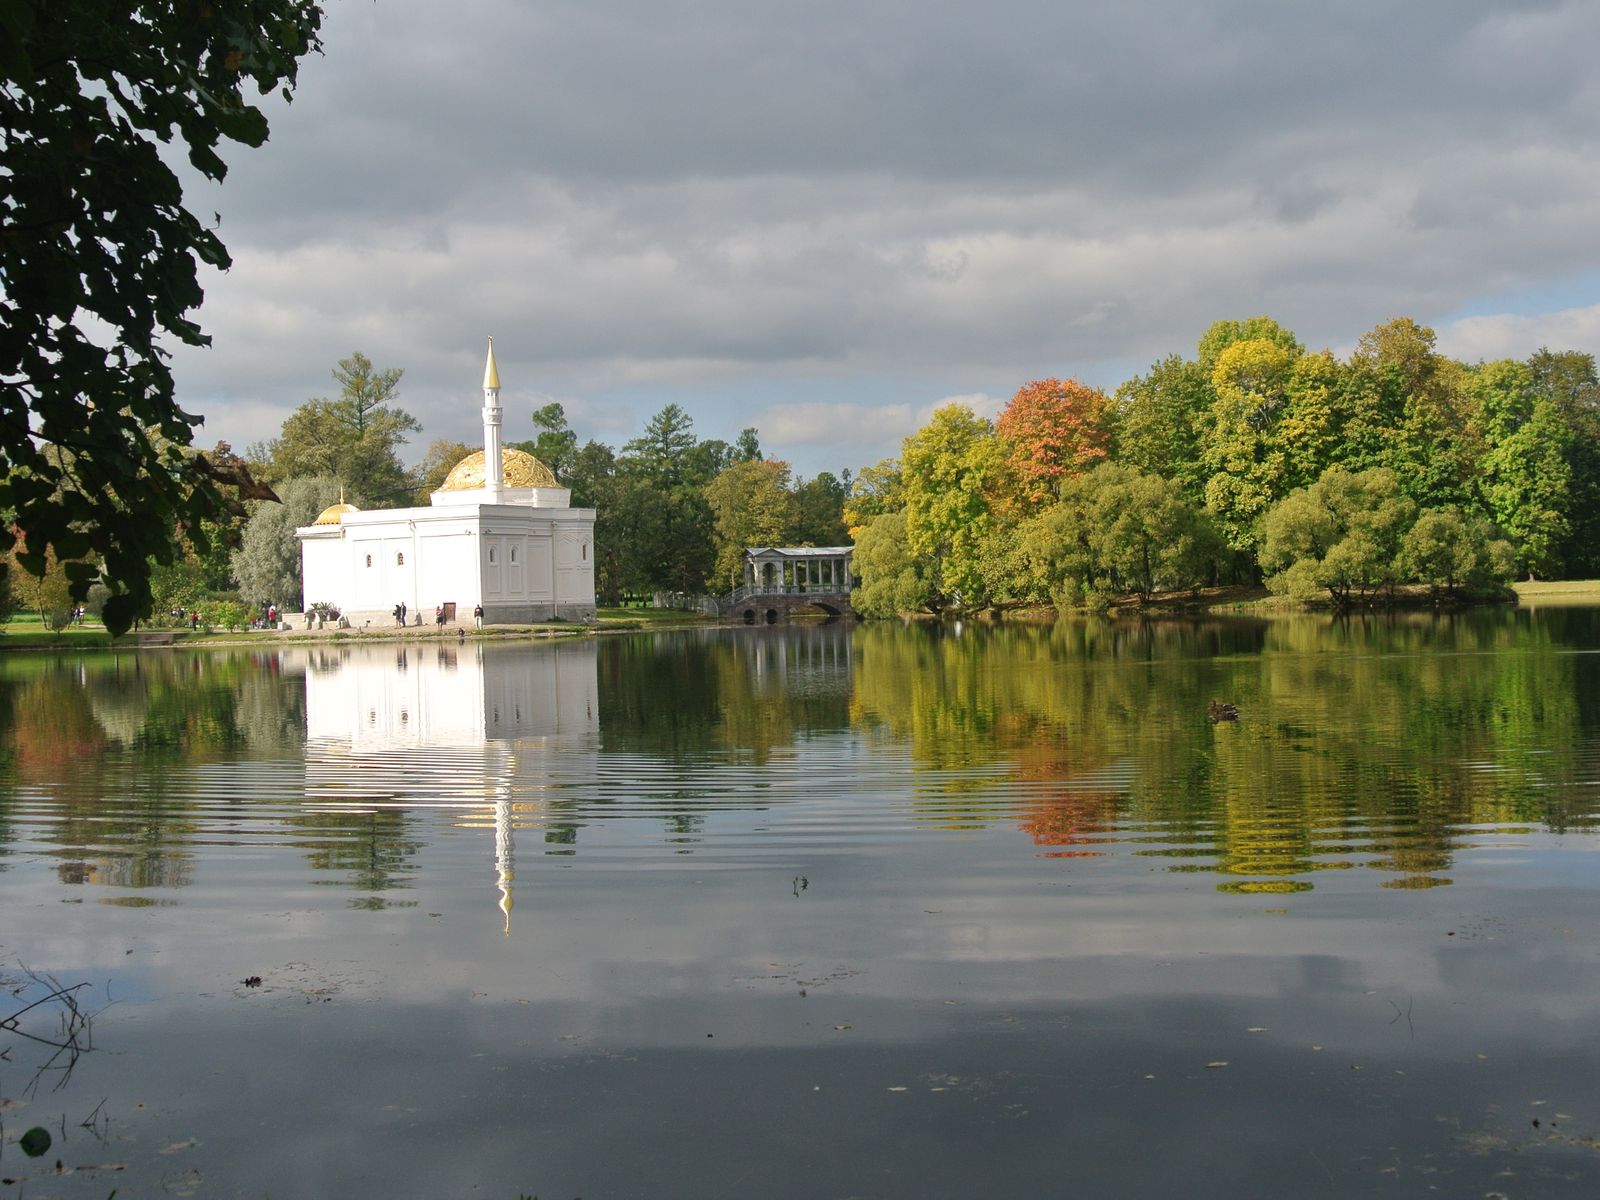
(1364, 743)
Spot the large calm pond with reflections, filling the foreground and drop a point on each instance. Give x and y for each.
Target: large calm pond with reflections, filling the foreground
(812, 913)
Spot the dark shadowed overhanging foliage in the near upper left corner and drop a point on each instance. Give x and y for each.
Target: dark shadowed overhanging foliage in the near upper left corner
(98, 268)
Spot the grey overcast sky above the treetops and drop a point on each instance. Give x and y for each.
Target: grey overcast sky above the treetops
(825, 218)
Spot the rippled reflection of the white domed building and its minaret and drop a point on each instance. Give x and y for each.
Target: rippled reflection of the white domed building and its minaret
(473, 729)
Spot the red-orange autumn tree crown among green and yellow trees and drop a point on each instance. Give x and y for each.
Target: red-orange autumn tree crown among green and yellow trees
(1052, 430)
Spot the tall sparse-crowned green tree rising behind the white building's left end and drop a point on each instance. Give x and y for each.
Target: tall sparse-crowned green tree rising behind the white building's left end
(356, 438)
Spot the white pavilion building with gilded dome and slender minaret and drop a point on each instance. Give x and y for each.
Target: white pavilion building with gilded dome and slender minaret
(505, 538)
